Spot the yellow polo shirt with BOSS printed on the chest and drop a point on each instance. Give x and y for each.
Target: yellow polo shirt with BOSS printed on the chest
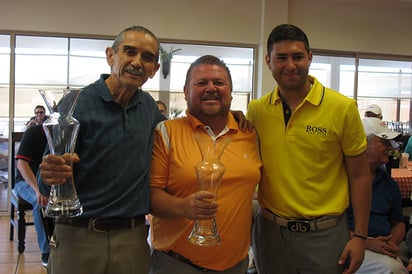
(304, 173)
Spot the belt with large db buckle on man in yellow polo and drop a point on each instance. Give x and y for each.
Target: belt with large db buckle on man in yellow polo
(301, 225)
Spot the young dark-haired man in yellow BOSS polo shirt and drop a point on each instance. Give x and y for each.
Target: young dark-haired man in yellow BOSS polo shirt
(313, 147)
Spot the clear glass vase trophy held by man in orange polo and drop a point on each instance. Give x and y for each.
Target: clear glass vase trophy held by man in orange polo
(209, 173)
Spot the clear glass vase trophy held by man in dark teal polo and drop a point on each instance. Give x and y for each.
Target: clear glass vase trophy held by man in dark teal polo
(61, 131)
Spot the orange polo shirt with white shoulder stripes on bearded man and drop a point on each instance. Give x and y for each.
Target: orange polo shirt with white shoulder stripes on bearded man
(175, 153)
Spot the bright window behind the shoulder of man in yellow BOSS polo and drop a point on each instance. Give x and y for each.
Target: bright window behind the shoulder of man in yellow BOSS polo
(385, 82)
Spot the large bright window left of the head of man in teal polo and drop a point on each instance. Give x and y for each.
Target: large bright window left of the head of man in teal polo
(53, 63)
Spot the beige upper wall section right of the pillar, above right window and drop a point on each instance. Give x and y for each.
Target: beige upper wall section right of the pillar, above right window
(371, 26)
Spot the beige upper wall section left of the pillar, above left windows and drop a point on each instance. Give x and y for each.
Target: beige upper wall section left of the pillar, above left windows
(214, 20)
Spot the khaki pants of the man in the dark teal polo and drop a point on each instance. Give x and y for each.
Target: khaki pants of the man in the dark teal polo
(83, 251)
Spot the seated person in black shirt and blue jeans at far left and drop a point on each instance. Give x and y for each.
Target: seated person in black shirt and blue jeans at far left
(28, 158)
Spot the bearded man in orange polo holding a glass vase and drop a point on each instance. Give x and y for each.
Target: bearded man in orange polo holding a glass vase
(175, 197)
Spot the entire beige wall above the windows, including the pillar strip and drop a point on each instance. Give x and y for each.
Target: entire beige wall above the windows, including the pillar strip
(371, 26)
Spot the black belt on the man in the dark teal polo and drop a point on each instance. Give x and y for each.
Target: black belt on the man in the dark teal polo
(103, 224)
